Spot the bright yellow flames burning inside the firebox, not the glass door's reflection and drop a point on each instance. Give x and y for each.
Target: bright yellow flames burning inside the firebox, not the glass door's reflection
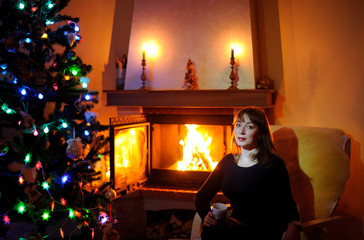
(196, 151)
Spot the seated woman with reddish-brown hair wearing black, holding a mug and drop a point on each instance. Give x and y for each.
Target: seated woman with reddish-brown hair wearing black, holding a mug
(256, 182)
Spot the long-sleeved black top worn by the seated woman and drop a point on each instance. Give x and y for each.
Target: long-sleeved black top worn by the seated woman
(259, 196)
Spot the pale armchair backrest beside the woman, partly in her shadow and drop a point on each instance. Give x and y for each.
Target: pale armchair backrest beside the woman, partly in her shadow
(318, 162)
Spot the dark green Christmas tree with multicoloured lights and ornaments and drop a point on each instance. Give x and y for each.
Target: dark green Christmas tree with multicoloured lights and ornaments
(50, 140)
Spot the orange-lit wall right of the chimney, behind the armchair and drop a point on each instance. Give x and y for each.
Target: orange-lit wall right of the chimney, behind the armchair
(321, 83)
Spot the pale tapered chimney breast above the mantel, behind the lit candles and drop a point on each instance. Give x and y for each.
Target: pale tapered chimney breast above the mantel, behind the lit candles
(200, 30)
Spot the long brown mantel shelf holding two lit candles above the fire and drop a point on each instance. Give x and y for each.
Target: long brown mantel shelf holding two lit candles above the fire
(191, 98)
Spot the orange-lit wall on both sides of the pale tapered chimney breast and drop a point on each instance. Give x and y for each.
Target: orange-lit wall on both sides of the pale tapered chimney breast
(313, 50)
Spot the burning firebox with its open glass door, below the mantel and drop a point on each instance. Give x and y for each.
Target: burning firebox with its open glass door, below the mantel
(167, 150)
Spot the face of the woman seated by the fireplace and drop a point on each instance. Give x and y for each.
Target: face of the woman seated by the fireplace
(246, 133)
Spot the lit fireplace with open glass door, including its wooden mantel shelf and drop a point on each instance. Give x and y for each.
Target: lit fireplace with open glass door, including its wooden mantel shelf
(174, 142)
